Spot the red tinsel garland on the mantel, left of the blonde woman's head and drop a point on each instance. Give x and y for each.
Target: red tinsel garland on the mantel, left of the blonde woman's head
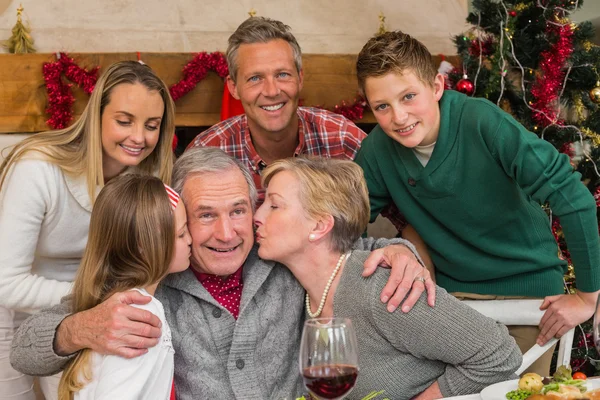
(60, 97)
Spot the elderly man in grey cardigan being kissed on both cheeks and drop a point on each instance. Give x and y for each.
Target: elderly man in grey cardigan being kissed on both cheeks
(235, 319)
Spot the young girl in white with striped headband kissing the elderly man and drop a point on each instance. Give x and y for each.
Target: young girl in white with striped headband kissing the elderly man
(138, 234)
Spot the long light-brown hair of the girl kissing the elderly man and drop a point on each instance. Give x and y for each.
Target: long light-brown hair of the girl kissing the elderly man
(130, 245)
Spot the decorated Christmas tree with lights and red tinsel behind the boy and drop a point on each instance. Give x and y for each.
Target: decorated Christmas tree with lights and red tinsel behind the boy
(532, 61)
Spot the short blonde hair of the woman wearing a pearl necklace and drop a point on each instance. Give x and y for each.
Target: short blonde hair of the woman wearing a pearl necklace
(329, 187)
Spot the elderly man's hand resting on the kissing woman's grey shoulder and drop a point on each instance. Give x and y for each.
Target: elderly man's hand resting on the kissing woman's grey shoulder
(408, 275)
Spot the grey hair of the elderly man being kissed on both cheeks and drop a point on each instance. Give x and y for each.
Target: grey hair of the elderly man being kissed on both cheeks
(201, 160)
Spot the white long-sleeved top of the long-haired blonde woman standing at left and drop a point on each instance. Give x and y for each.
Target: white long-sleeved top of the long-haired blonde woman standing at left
(44, 222)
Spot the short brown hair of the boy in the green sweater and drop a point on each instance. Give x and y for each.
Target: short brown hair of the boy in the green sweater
(394, 52)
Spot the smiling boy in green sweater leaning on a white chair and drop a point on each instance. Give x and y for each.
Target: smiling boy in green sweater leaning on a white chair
(470, 179)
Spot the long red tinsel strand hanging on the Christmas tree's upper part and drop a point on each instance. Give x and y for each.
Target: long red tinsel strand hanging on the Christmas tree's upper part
(545, 91)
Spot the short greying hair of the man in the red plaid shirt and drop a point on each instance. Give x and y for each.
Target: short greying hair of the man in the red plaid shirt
(260, 30)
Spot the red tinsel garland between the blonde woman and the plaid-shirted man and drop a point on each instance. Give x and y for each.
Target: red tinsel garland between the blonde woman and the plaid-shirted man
(196, 70)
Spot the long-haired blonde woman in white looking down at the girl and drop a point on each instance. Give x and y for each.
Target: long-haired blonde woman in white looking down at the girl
(48, 184)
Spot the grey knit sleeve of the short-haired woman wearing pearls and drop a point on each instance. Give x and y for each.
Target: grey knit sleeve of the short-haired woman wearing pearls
(477, 350)
